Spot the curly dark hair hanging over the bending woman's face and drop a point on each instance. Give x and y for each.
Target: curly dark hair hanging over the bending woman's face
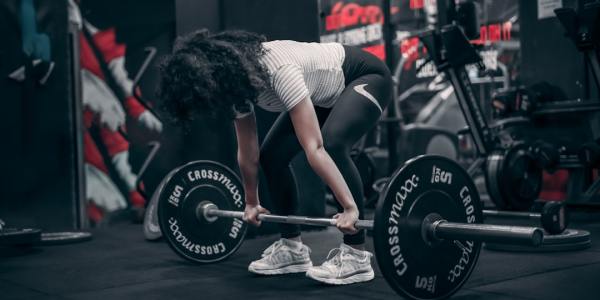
(211, 74)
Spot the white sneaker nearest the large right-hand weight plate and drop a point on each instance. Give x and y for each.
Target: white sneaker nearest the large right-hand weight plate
(346, 266)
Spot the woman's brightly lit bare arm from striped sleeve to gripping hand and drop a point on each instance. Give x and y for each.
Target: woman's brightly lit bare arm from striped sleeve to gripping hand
(306, 126)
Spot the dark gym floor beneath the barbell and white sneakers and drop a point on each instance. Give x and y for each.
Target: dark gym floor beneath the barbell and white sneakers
(119, 264)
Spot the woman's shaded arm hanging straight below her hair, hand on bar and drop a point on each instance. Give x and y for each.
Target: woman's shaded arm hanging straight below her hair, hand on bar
(248, 160)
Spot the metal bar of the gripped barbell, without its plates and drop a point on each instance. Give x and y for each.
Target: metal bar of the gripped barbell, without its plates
(439, 229)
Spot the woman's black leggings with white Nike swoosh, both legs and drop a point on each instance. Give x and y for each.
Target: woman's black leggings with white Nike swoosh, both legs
(355, 112)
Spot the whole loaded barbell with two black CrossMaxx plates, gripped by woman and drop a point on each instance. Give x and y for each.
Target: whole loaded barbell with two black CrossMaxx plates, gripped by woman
(427, 230)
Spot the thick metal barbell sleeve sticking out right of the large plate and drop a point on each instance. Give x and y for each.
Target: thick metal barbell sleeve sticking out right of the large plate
(516, 235)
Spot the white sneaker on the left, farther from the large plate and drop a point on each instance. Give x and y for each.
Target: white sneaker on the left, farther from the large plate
(283, 257)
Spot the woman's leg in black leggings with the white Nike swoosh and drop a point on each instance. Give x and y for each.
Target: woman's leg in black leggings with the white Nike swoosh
(356, 111)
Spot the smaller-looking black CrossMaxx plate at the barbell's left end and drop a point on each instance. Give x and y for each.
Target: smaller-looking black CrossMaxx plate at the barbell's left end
(194, 238)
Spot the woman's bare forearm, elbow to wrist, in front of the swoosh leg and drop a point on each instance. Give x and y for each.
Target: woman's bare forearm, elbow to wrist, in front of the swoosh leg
(325, 167)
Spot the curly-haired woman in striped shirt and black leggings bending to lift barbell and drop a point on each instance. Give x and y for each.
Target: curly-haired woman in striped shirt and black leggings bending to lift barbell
(329, 96)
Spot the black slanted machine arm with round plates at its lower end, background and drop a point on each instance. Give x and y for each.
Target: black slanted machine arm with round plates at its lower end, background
(513, 178)
